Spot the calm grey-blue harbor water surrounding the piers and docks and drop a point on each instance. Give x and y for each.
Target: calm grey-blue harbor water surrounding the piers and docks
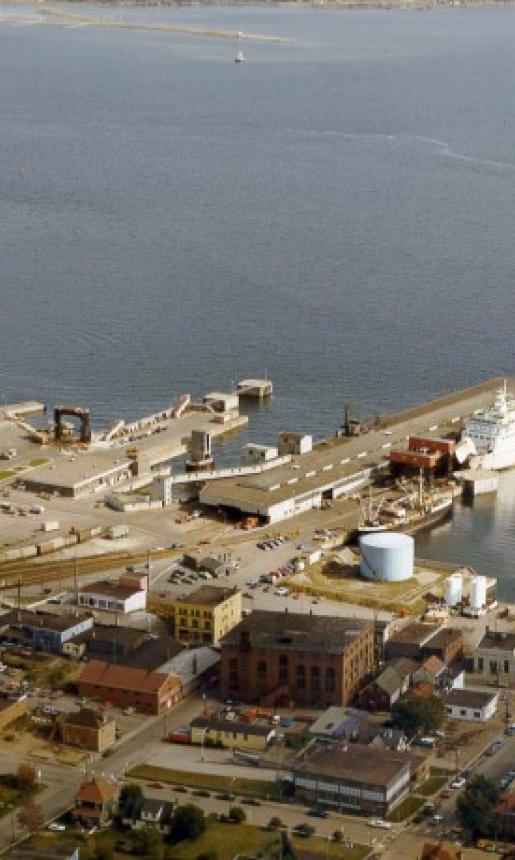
(338, 211)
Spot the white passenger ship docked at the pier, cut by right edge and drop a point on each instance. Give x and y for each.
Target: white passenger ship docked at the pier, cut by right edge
(492, 434)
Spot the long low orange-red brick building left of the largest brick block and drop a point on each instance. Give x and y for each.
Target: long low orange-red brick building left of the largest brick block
(146, 691)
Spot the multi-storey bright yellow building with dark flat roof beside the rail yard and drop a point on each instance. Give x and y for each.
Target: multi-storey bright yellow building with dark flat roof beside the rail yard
(206, 614)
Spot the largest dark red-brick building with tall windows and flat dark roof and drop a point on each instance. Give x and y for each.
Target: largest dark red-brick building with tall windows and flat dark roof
(308, 660)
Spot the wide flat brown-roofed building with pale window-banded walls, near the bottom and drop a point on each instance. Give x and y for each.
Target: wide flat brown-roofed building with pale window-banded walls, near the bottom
(347, 778)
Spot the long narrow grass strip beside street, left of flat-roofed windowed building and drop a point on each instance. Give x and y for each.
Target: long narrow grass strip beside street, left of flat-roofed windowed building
(212, 782)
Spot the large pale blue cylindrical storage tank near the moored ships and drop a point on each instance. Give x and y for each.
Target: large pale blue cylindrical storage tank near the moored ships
(387, 556)
